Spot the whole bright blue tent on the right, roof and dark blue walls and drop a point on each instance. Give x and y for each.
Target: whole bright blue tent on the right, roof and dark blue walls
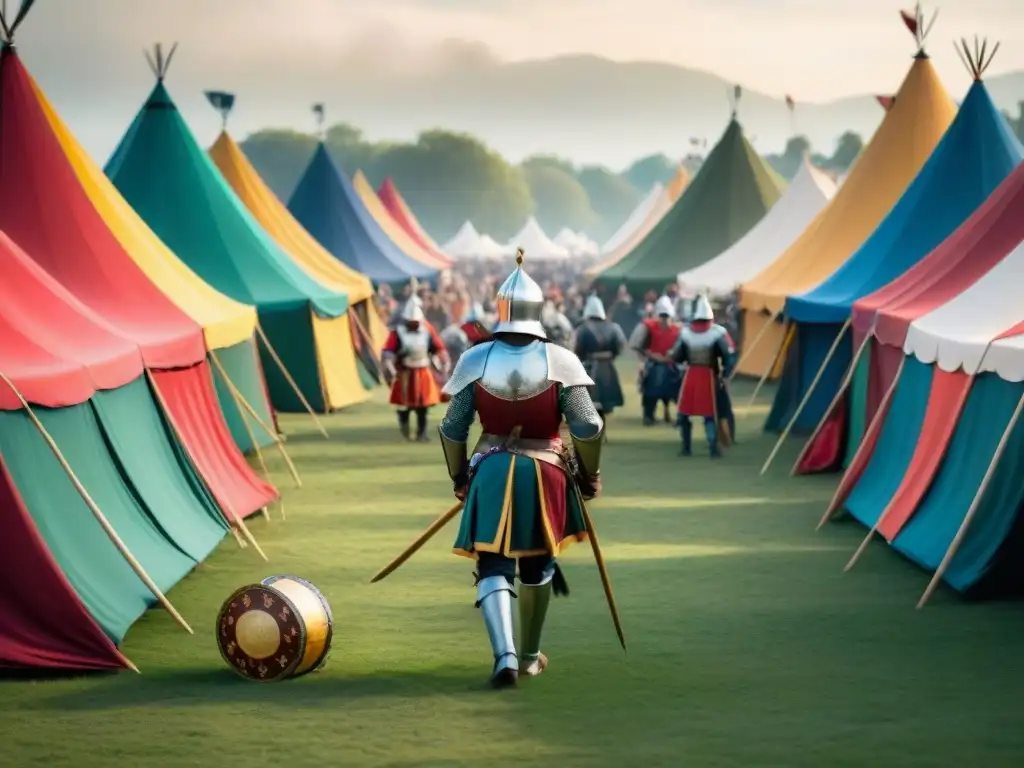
(976, 154)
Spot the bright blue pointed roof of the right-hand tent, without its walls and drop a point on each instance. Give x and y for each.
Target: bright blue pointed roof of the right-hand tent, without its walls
(973, 158)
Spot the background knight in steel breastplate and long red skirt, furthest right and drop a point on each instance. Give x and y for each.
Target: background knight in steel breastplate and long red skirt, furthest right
(710, 356)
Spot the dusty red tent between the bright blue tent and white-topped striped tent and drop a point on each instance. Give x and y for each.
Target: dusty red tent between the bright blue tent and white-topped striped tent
(967, 255)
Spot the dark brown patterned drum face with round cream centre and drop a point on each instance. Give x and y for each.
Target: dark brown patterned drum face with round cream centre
(261, 634)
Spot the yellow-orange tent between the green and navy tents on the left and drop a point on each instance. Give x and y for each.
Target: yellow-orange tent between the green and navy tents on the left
(276, 220)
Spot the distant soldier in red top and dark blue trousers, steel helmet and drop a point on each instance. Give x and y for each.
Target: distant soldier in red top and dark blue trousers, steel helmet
(660, 377)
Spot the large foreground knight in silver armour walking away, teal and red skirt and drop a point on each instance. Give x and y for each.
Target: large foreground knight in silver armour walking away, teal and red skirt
(524, 490)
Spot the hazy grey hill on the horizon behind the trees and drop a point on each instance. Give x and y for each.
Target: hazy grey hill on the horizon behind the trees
(594, 110)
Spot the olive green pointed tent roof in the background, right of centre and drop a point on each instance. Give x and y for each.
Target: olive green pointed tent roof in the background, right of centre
(734, 190)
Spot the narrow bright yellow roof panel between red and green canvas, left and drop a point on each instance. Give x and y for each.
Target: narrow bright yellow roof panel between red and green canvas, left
(225, 321)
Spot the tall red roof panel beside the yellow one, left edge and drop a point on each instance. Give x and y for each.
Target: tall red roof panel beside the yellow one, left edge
(46, 210)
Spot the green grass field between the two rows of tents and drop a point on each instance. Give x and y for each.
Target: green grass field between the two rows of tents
(748, 646)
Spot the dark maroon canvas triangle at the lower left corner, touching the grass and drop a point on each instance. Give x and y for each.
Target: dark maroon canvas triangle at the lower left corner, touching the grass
(46, 626)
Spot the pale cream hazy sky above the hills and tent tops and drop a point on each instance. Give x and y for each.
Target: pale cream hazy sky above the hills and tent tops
(88, 54)
